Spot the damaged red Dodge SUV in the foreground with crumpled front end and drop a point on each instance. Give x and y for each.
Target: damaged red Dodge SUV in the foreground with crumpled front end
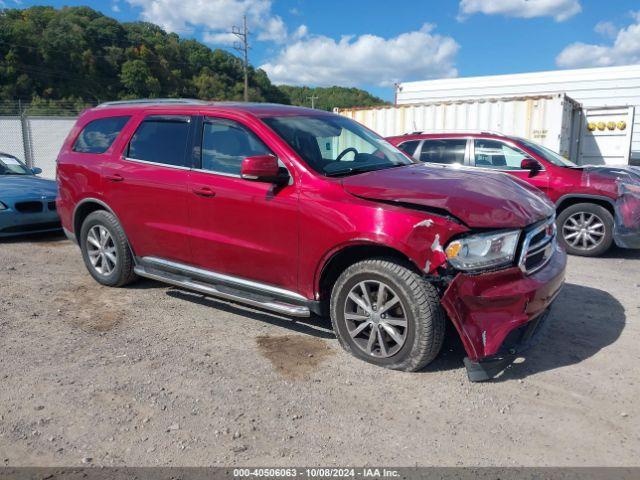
(298, 211)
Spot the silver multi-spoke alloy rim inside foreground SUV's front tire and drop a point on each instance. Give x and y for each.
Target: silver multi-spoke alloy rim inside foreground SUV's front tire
(376, 318)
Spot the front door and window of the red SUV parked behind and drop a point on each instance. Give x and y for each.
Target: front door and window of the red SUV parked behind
(492, 154)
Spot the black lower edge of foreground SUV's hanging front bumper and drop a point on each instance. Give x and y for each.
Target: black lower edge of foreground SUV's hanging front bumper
(488, 367)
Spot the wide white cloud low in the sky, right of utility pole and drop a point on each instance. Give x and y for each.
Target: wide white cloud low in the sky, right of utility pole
(364, 60)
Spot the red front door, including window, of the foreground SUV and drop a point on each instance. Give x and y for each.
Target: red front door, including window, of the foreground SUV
(242, 228)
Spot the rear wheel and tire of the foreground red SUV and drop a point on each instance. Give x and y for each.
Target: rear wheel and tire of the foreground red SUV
(106, 271)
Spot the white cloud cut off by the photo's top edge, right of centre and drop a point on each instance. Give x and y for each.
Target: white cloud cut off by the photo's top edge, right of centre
(560, 10)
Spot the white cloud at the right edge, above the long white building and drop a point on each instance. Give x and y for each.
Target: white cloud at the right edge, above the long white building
(625, 50)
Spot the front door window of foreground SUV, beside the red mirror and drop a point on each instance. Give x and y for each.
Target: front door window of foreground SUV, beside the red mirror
(226, 143)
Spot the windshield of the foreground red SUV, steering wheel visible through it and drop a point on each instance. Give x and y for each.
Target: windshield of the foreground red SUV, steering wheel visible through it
(336, 146)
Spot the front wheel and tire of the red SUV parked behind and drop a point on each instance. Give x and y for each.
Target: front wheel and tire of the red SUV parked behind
(592, 242)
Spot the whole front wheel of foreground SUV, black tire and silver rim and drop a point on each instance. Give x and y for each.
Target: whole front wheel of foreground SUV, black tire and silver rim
(417, 301)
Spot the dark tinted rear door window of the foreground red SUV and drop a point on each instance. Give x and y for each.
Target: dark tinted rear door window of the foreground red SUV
(161, 141)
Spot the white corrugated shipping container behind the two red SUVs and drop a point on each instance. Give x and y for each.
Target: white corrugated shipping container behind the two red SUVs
(553, 120)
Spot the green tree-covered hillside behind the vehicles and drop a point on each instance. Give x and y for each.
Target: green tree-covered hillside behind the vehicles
(76, 56)
